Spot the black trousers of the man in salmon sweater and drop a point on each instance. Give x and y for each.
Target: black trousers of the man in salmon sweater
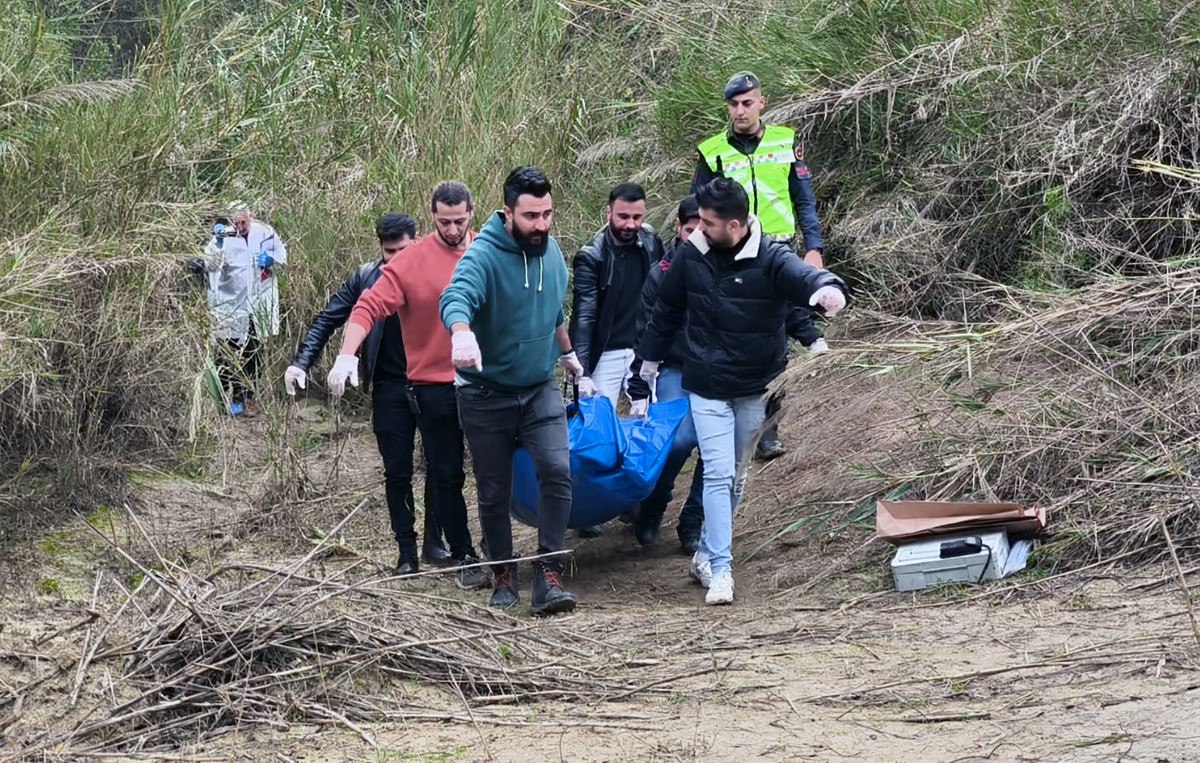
(437, 417)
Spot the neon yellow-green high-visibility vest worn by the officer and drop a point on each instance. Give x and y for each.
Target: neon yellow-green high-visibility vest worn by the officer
(765, 176)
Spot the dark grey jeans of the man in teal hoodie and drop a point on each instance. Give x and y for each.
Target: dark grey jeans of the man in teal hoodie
(496, 424)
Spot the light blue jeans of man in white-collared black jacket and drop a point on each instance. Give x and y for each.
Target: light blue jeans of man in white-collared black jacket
(727, 430)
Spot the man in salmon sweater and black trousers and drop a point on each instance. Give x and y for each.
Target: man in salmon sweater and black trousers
(411, 286)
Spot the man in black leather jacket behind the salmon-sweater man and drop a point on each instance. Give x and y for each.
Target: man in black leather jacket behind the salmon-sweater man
(386, 365)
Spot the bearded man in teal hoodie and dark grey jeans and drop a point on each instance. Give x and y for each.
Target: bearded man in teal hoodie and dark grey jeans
(505, 311)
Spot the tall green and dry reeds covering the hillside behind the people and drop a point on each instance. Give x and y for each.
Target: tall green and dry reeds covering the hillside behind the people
(1023, 167)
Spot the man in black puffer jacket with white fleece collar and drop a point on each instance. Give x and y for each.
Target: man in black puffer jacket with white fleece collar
(730, 289)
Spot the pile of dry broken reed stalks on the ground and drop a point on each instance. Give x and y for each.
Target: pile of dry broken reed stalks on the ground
(254, 646)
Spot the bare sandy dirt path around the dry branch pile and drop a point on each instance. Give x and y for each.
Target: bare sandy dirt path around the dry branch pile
(1083, 670)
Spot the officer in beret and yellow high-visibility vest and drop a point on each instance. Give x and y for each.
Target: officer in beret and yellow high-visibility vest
(769, 161)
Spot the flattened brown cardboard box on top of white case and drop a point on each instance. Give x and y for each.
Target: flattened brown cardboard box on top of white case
(901, 520)
